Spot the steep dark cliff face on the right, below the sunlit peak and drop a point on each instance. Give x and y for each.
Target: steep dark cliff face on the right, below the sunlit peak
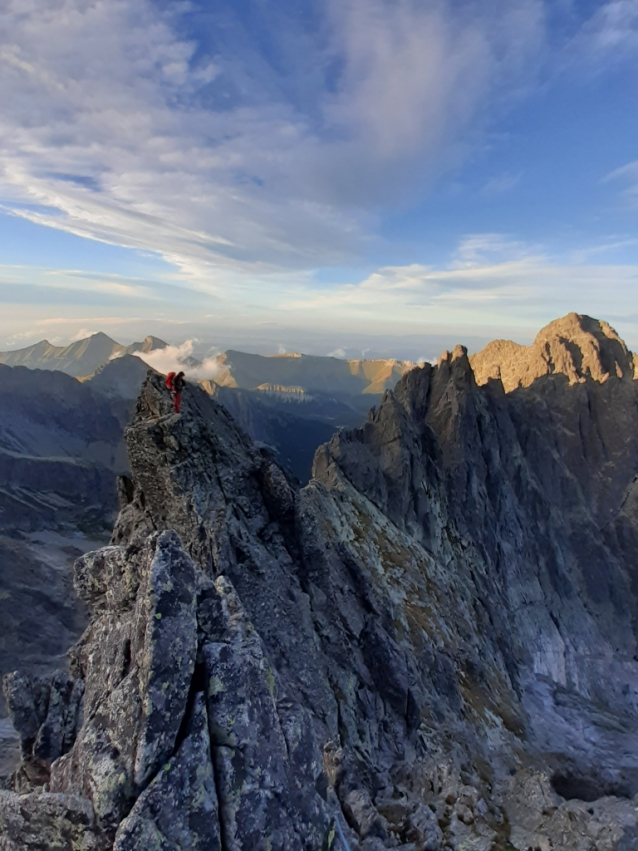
(537, 483)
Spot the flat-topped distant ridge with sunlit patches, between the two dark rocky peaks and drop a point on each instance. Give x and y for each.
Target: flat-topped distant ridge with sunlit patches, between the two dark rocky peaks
(308, 373)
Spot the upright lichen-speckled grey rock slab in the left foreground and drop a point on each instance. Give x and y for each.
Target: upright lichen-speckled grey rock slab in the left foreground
(137, 659)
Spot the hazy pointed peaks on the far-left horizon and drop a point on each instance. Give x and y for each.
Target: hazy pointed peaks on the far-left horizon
(79, 359)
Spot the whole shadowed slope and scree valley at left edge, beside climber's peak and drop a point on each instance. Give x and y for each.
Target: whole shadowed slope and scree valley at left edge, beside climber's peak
(61, 446)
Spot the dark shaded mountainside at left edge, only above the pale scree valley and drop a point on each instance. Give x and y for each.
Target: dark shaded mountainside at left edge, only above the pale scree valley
(60, 445)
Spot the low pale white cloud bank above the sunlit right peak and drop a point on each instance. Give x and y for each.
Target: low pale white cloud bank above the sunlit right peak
(495, 281)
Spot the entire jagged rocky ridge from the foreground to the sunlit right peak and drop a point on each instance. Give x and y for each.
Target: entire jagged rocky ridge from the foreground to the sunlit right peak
(430, 646)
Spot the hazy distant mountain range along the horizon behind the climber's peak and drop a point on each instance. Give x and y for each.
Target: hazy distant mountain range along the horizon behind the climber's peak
(291, 403)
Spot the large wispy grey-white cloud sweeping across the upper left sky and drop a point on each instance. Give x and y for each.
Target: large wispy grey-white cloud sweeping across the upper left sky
(117, 128)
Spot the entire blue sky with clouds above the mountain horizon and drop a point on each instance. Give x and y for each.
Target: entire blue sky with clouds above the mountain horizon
(349, 176)
